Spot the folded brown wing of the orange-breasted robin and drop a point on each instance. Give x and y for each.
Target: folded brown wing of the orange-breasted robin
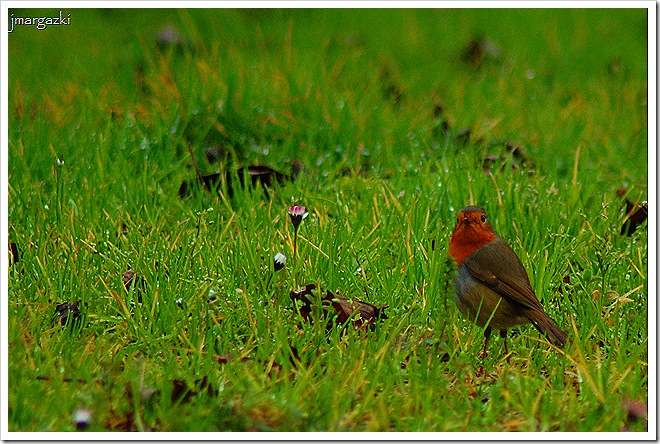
(498, 267)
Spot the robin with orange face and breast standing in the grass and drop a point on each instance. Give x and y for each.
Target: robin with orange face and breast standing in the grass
(492, 286)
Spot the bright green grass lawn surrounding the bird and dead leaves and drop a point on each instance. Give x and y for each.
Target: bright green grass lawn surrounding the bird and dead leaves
(214, 344)
